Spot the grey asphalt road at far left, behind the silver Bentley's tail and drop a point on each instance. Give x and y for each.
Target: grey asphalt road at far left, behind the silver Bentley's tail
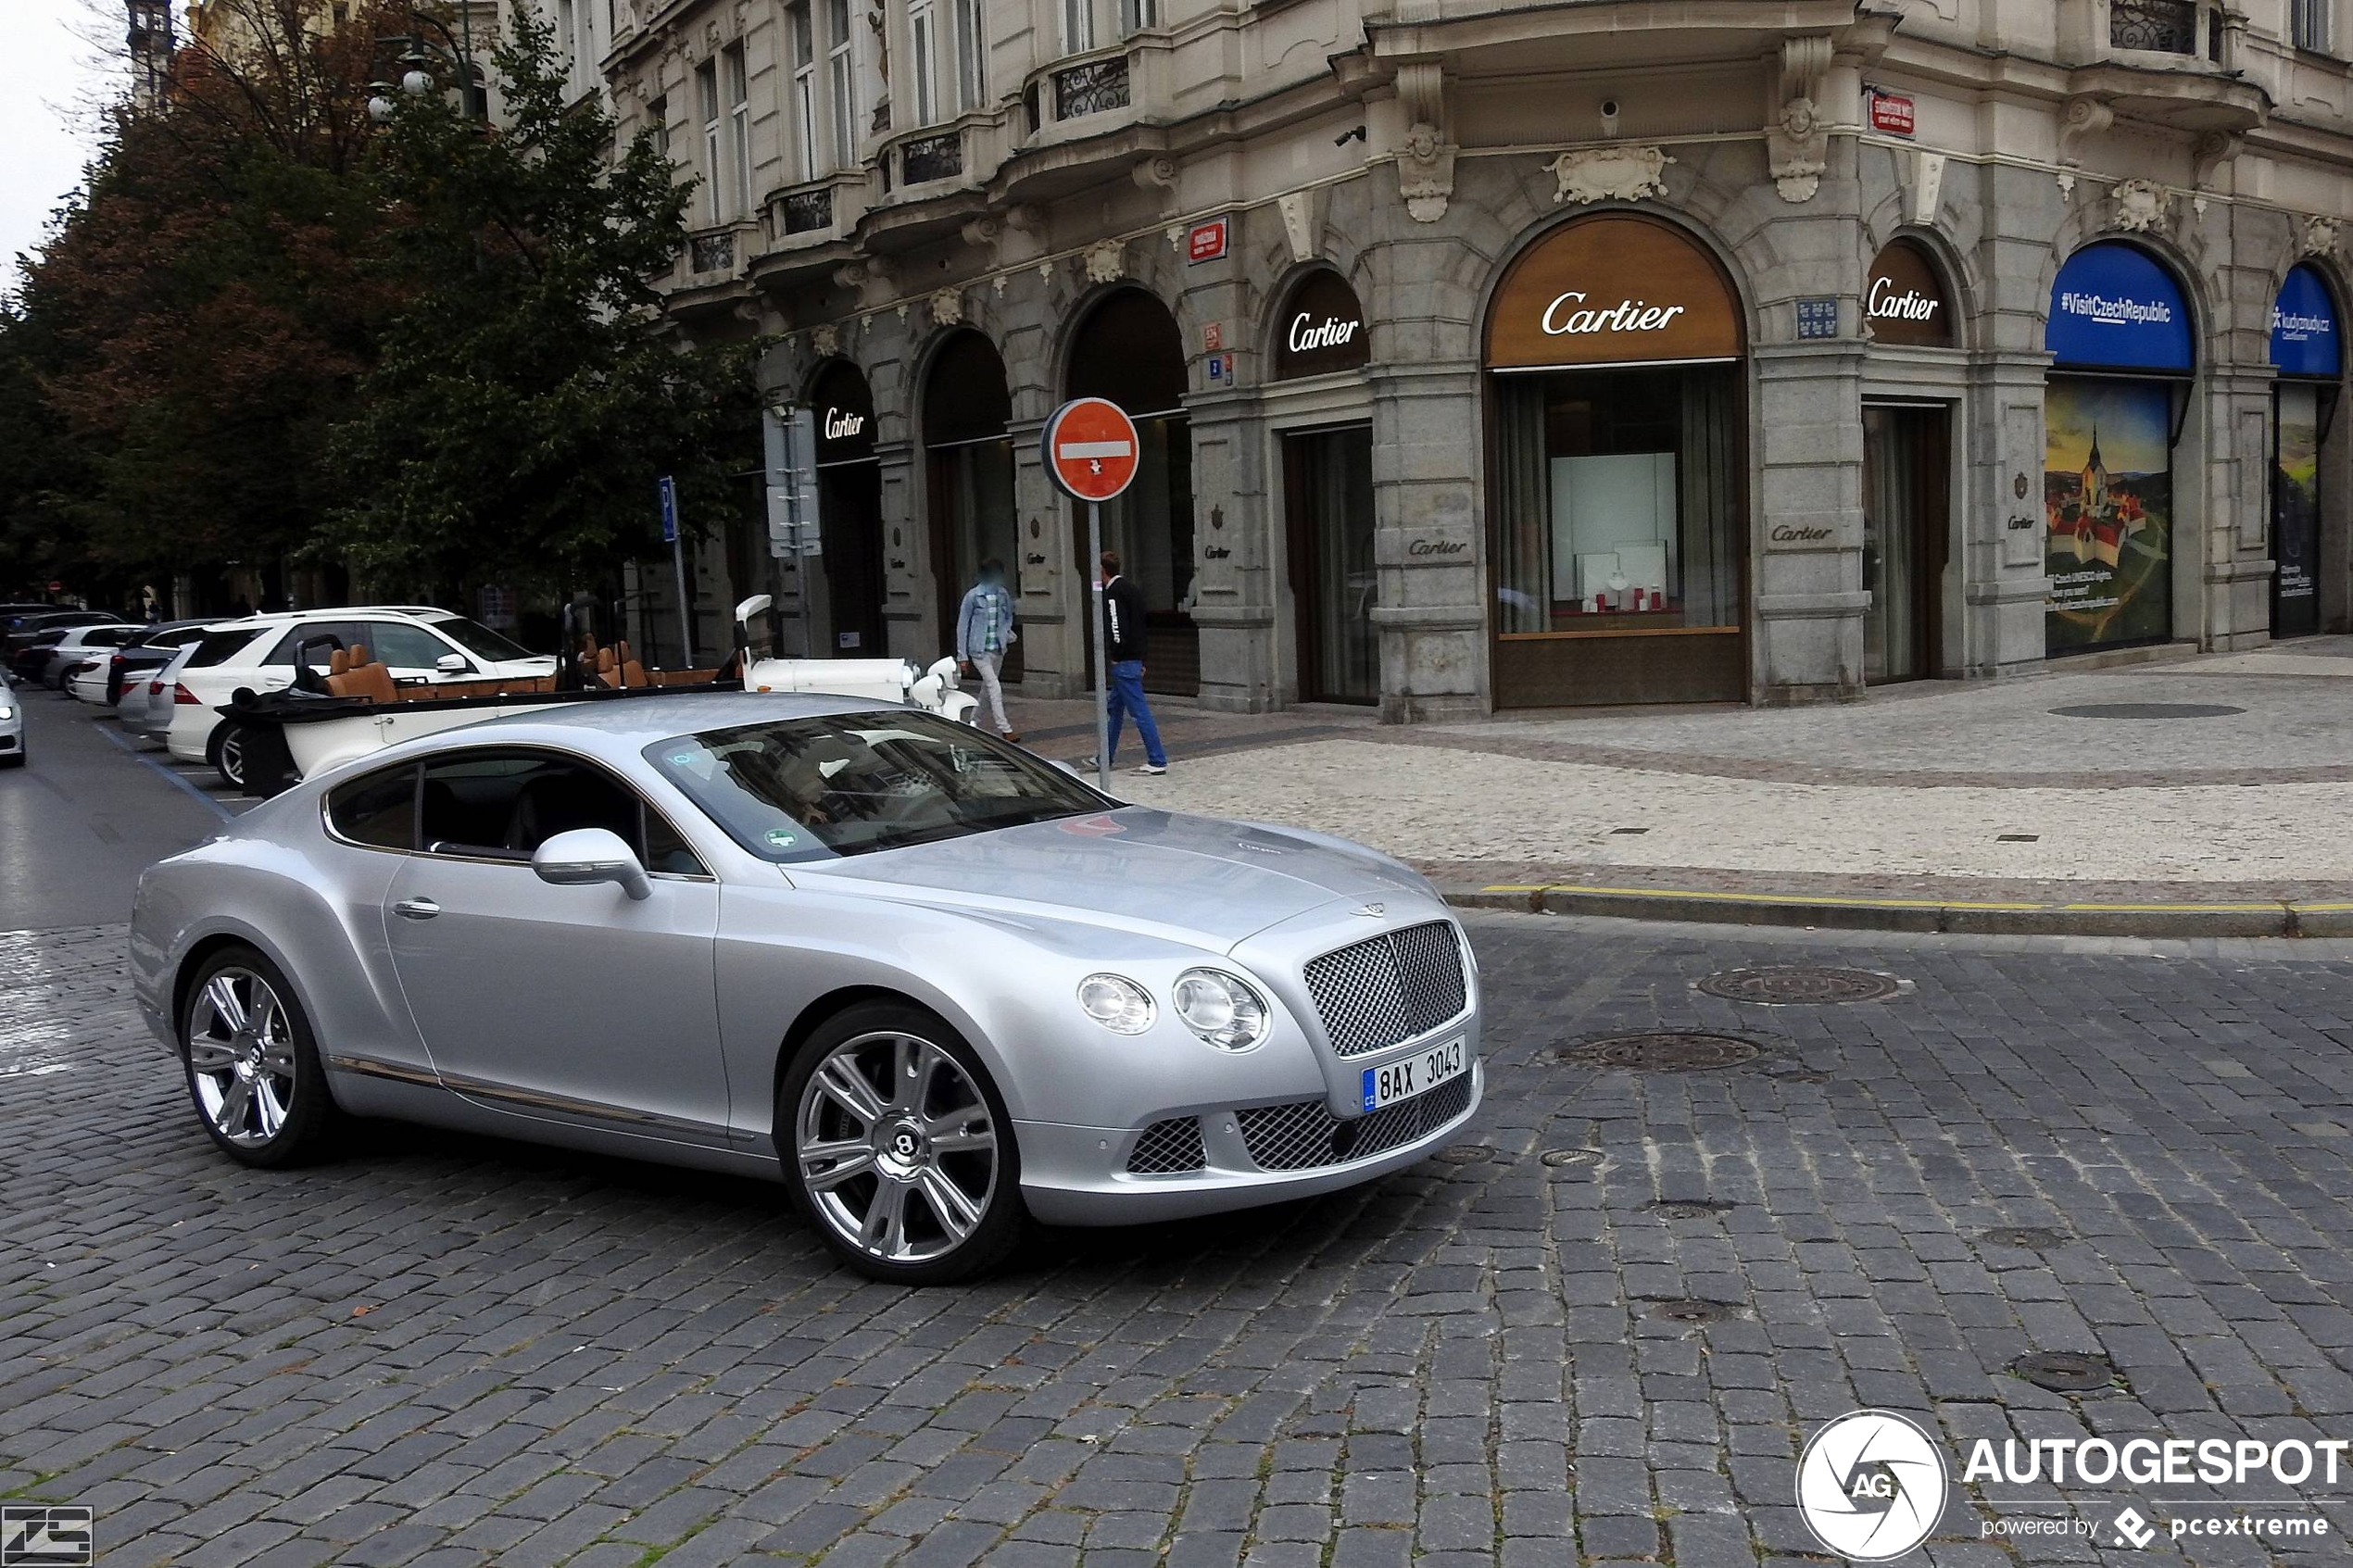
(88, 812)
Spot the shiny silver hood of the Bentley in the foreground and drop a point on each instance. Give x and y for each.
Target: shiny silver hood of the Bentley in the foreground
(1152, 871)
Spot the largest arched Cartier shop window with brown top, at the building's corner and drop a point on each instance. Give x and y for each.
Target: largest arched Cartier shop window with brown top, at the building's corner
(1618, 483)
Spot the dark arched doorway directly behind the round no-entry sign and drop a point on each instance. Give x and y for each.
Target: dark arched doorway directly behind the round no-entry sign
(1131, 351)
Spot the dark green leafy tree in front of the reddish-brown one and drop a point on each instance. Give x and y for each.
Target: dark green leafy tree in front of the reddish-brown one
(528, 391)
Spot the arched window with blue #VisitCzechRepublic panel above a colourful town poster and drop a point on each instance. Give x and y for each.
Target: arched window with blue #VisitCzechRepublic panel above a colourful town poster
(2112, 415)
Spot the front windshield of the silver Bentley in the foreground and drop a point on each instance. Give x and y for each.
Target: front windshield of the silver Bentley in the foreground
(862, 782)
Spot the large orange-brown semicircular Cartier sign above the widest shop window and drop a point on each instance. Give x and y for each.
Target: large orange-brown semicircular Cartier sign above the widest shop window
(1613, 290)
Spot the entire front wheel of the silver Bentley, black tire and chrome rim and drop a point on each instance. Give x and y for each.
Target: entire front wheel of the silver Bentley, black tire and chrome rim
(898, 1148)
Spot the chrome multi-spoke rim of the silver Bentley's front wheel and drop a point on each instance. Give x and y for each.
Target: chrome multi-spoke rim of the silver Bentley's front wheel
(895, 1148)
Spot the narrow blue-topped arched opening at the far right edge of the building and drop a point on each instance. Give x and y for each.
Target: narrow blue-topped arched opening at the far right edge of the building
(2307, 351)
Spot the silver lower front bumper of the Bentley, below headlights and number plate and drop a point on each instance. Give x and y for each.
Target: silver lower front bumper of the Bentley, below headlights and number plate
(1081, 1174)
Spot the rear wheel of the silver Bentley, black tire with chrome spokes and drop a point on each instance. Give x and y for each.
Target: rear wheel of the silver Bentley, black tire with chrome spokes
(260, 1057)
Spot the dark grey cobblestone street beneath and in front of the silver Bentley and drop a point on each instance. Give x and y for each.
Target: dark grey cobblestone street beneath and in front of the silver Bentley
(444, 1351)
